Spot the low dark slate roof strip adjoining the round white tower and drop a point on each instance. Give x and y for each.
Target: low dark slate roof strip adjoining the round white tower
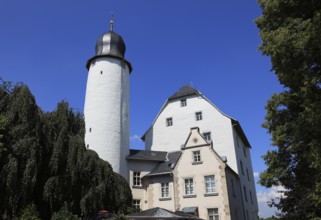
(147, 155)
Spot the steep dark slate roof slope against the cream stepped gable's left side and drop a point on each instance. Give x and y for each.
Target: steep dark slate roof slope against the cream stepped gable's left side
(166, 166)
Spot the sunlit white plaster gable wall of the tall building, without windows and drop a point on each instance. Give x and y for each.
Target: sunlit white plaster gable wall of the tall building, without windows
(163, 138)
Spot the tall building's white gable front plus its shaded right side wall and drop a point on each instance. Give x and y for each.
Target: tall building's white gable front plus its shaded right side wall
(226, 135)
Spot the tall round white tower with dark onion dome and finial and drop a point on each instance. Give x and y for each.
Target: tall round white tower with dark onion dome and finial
(107, 101)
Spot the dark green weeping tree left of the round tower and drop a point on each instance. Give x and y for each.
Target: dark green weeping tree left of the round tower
(44, 161)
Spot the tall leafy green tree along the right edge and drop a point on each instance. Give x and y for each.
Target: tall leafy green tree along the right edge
(290, 31)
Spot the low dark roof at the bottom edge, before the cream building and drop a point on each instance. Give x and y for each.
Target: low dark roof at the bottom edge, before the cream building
(156, 213)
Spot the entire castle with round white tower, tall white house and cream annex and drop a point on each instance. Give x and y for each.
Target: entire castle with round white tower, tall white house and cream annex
(196, 158)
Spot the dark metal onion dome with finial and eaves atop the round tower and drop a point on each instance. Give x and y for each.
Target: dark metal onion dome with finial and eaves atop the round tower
(110, 44)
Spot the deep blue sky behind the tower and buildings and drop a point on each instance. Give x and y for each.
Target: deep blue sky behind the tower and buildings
(211, 45)
